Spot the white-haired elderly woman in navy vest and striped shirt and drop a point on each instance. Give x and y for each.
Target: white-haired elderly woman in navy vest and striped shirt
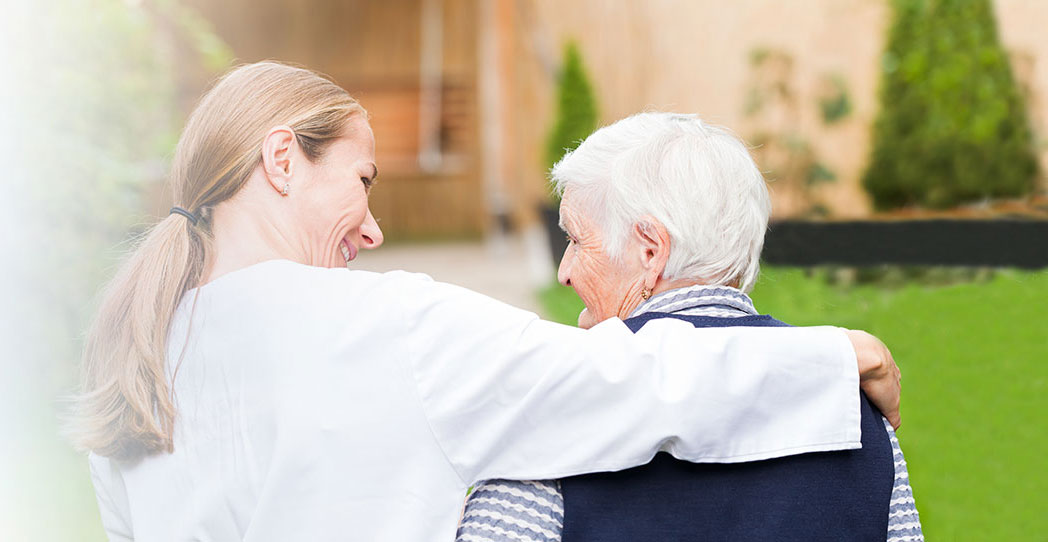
(666, 219)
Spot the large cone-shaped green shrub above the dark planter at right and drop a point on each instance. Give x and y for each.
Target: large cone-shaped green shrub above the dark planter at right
(953, 125)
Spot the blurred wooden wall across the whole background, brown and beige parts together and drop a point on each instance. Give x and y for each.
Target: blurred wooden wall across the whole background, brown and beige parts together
(499, 68)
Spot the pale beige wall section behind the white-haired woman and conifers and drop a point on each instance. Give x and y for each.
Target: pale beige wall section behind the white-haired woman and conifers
(695, 57)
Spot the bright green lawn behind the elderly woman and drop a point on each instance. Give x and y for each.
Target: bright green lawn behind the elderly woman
(975, 409)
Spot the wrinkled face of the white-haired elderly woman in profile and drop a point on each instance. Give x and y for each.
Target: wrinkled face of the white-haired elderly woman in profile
(608, 289)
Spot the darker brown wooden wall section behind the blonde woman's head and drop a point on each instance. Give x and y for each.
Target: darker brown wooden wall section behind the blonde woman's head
(374, 50)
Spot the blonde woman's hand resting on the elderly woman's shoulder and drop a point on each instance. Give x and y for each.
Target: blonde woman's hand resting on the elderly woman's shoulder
(879, 376)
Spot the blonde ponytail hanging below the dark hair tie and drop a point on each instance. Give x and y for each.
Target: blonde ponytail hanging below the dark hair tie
(126, 403)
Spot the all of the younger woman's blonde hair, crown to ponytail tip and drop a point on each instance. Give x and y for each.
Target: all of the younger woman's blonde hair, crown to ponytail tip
(126, 407)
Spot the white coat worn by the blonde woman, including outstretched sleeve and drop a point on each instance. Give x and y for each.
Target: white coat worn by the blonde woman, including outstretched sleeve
(335, 405)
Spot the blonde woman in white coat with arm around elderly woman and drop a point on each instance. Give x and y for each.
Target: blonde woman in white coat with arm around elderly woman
(242, 384)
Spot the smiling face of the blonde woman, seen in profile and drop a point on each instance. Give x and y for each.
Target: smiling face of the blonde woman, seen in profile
(332, 199)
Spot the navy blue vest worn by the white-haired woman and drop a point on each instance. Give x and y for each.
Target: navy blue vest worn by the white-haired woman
(817, 496)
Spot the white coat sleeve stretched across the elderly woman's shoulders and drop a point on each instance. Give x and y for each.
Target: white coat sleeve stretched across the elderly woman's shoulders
(510, 396)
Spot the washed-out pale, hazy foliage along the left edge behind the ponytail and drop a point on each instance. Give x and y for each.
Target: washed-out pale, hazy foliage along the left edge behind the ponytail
(94, 120)
